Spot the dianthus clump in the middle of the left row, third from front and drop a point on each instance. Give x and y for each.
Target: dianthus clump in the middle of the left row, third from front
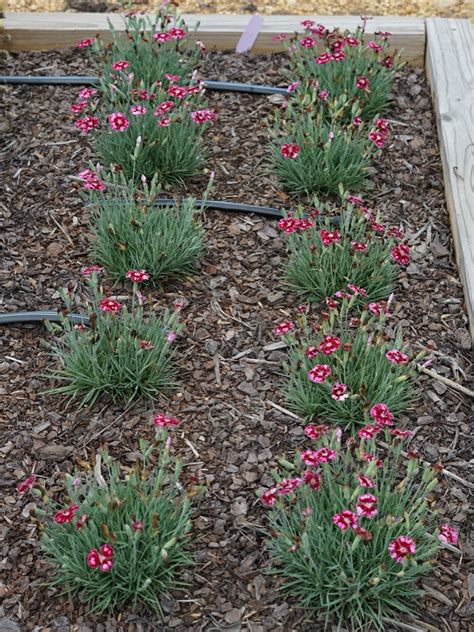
(132, 232)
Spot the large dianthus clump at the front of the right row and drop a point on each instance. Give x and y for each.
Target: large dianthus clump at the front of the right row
(351, 532)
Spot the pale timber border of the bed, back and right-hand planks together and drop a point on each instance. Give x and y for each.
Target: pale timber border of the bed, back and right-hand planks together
(443, 46)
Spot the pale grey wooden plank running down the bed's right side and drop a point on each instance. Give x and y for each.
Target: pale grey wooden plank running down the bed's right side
(450, 71)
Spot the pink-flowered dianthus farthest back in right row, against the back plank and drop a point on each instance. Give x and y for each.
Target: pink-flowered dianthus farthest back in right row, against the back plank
(327, 64)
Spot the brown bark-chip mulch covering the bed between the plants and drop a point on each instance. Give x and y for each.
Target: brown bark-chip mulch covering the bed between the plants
(231, 436)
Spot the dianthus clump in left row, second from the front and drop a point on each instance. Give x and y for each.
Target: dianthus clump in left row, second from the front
(123, 353)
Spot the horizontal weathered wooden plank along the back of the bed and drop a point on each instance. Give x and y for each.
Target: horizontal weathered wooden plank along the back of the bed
(45, 31)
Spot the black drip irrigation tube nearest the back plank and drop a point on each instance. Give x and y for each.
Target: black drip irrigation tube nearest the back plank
(78, 80)
